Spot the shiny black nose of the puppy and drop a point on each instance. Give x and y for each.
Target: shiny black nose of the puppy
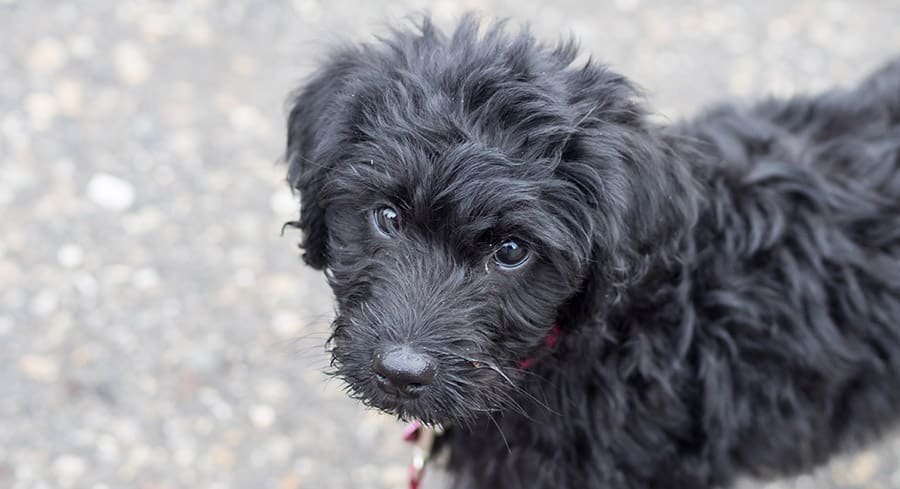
(403, 371)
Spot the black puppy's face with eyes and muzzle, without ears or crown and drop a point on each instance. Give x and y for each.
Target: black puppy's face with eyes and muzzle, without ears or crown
(449, 268)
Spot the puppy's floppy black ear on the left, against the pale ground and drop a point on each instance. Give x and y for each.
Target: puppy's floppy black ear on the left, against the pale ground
(314, 116)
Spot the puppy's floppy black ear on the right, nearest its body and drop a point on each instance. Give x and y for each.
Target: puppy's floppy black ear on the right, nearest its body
(638, 189)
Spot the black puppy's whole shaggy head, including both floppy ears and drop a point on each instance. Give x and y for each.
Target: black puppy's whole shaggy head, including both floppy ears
(464, 193)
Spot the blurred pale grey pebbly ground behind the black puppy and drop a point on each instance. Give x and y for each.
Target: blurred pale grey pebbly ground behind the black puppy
(157, 332)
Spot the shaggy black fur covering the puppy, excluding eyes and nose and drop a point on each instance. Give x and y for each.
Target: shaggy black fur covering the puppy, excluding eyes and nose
(728, 289)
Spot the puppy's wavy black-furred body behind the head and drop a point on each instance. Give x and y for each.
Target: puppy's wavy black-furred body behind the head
(771, 340)
